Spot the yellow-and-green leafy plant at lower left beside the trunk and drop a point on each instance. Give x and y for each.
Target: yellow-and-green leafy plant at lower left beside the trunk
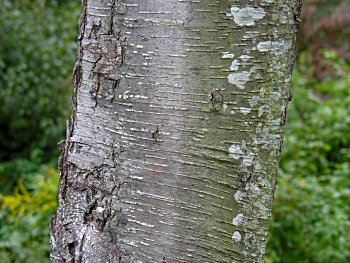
(25, 218)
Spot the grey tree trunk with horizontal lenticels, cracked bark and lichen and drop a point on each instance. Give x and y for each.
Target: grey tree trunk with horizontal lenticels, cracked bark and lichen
(176, 132)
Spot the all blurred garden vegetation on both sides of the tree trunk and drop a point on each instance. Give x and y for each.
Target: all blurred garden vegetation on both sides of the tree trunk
(311, 214)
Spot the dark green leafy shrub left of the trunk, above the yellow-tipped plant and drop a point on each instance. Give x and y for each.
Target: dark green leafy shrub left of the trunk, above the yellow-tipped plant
(36, 60)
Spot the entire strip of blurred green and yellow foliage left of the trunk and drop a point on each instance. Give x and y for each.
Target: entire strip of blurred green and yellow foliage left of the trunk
(38, 42)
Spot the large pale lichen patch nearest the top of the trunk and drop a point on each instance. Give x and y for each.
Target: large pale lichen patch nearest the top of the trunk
(246, 16)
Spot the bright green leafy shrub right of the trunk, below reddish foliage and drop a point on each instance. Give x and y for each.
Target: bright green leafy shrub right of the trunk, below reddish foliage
(311, 213)
